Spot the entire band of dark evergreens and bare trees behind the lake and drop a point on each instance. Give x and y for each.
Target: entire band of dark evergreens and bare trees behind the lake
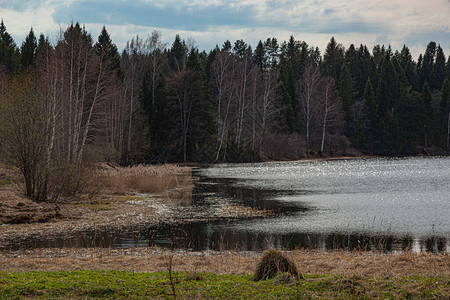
(78, 99)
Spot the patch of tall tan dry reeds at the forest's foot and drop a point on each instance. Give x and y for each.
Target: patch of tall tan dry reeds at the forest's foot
(143, 179)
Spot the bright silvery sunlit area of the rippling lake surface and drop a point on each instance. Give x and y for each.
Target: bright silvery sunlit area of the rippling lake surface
(400, 196)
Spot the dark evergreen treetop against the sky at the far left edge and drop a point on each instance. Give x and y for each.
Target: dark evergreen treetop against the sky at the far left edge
(9, 54)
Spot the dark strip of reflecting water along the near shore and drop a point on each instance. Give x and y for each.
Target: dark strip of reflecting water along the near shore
(220, 236)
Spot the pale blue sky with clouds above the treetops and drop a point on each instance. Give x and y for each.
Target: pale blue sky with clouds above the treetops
(211, 22)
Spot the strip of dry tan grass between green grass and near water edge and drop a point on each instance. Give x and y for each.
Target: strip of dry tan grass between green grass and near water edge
(226, 262)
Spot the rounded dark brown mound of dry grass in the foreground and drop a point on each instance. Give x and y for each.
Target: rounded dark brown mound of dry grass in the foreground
(274, 262)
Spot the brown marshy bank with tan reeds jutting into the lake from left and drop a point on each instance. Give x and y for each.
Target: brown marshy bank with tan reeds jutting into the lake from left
(130, 198)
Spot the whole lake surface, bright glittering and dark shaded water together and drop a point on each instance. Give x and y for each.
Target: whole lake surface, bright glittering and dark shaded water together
(385, 204)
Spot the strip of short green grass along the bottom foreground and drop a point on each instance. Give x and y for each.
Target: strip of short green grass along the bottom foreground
(118, 284)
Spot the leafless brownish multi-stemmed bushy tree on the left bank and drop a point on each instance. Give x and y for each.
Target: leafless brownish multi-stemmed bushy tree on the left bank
(24, 134)
